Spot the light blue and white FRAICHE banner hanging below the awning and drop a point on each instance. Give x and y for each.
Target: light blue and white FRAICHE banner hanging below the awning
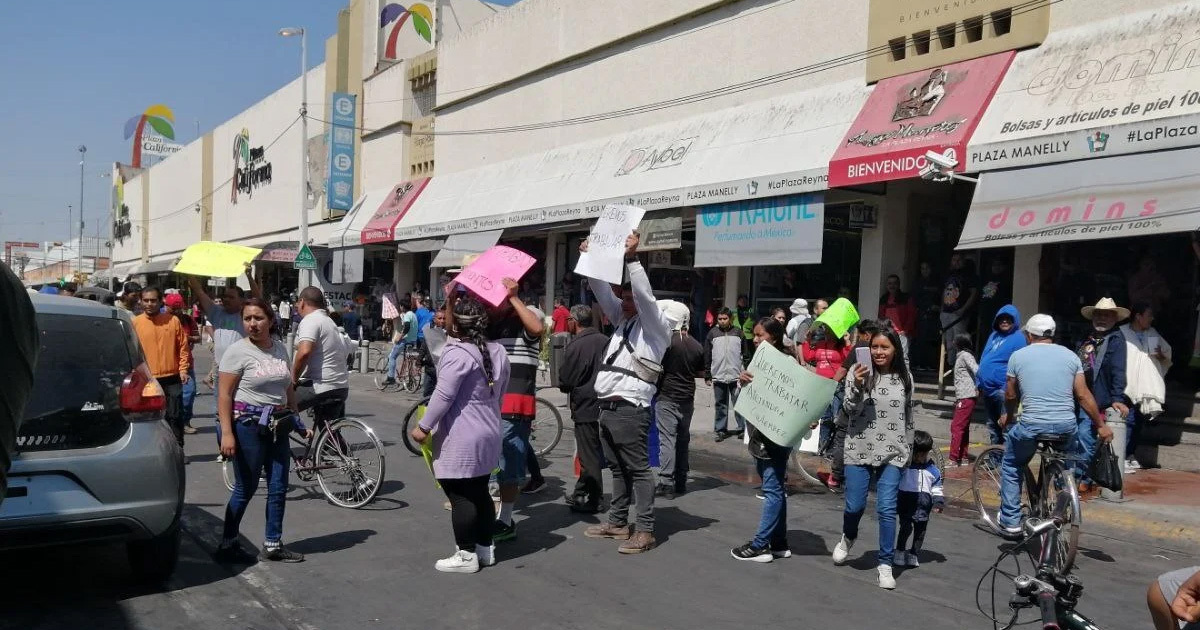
(777, 231)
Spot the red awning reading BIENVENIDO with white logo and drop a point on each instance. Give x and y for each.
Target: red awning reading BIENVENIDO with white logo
(909, 116)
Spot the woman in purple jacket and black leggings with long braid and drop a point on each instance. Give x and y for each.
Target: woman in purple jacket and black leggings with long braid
(464, 418)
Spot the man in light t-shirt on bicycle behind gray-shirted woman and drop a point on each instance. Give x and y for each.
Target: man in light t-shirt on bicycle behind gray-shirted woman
(320, 357)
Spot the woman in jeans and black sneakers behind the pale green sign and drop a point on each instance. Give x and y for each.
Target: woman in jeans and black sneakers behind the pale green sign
(771, 459)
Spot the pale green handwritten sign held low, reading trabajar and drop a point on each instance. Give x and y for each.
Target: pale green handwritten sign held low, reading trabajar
(784, 400)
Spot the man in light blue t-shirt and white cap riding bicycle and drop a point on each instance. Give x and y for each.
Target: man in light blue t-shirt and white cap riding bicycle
(1045, 383)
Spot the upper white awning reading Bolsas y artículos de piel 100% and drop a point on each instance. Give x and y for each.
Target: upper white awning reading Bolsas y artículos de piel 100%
(1107, 88)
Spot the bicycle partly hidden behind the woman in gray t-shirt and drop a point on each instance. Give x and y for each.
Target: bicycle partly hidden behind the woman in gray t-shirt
(346, 447)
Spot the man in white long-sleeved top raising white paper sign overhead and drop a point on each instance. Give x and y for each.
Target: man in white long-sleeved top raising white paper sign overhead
(626, 383)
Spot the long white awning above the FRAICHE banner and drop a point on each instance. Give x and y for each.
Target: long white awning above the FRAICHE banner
(764, 149)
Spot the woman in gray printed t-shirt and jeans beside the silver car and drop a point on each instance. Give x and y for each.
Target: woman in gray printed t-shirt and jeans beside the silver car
(256, 379)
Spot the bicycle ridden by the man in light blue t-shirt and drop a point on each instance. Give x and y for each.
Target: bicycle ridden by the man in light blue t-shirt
(1051, 491)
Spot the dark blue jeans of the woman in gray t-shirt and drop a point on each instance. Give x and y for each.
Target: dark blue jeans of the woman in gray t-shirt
(251, 460)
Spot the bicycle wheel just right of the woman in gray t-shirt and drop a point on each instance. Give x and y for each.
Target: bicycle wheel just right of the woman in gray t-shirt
(350, 464)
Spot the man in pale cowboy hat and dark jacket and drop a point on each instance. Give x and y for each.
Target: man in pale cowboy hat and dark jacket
(1103, 353)
